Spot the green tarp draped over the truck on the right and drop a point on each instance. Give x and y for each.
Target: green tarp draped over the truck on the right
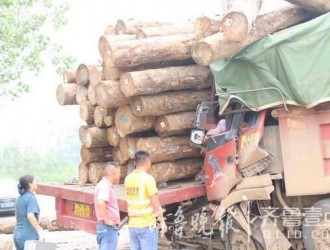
(291, 66)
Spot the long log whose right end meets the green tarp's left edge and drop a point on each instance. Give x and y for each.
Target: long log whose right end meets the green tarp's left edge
(154, 81)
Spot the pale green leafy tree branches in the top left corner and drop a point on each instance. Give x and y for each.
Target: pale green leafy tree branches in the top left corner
(26, 44)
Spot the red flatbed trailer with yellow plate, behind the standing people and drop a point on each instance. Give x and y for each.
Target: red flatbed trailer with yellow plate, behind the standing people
(75, 203)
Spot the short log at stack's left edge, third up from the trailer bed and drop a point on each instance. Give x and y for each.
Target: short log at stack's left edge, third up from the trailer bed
(96, 138)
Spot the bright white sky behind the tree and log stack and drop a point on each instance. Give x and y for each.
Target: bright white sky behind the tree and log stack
(36, 119)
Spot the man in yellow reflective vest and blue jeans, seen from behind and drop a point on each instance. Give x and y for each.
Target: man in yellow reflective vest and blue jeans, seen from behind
(143, 205)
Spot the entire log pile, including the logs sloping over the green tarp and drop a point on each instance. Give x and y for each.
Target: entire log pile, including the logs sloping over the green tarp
(144, 93)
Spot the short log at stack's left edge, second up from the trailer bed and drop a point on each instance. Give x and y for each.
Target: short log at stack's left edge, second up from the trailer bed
(89, 155)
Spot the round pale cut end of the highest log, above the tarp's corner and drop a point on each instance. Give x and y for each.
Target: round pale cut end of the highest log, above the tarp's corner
(235, 26)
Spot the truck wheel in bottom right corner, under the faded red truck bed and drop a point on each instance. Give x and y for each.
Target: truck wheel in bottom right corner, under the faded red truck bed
(318, 236)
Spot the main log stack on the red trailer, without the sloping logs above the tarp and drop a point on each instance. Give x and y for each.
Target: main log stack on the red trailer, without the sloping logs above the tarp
(143, 96)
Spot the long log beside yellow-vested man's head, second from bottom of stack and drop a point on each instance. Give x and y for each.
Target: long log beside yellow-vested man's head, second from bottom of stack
(168, 148)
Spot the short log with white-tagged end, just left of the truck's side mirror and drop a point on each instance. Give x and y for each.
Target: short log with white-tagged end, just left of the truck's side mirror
(174, 124)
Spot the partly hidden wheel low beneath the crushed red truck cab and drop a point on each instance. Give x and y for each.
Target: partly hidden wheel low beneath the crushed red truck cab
(239, 241)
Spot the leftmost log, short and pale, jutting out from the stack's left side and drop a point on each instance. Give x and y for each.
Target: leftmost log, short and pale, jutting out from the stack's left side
(66, 94)
